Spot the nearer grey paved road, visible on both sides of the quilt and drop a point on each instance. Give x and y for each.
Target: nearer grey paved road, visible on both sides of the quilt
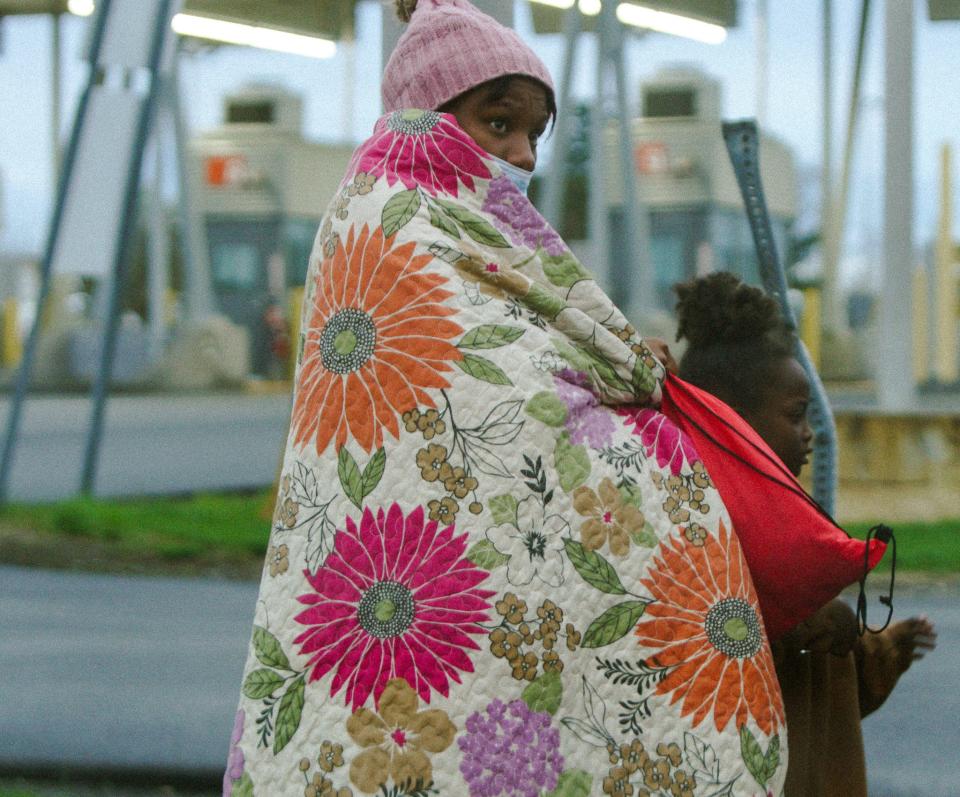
(139, 672)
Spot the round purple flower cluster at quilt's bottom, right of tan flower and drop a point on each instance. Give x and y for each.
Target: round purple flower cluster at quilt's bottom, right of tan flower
(510, 751)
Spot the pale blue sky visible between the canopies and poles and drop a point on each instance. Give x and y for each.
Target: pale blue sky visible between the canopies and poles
(341, 99)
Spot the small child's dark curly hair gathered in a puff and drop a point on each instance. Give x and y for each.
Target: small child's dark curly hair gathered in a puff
(735, 333)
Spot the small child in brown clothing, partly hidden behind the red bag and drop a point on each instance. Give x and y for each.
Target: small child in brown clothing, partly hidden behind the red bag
(741, 350)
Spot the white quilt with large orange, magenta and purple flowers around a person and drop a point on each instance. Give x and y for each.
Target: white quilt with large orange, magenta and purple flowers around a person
(495, 568)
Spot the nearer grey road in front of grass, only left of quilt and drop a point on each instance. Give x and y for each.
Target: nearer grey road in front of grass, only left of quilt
(119, 672)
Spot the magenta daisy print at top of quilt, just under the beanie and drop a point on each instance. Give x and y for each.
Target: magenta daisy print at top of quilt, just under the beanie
(421, 148)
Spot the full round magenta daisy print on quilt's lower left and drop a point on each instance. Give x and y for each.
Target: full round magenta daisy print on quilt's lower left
(395, 599)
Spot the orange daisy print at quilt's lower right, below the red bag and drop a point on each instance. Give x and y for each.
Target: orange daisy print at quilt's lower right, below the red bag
(706, 626)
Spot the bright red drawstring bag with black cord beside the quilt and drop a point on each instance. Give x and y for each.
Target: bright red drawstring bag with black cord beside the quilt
(798, 557)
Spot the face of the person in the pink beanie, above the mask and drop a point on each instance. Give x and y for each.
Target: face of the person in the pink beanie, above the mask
(507, 124)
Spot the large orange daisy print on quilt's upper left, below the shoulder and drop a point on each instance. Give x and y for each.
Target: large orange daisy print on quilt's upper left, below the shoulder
(378, 339)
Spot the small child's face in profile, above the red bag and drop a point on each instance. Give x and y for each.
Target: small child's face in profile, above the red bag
(781, 418)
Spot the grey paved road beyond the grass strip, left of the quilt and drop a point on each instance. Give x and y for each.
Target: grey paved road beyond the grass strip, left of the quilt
(151, 444)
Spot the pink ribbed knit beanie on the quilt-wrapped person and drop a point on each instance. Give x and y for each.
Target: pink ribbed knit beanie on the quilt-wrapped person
(448, 48)
